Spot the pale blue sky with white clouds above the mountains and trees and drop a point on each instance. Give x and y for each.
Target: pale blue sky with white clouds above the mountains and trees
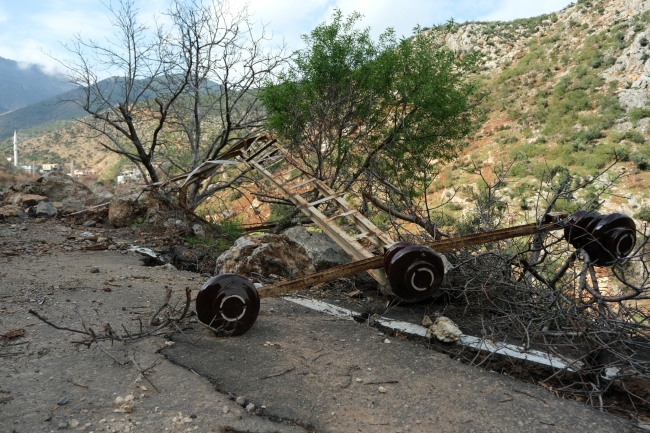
(32, 31)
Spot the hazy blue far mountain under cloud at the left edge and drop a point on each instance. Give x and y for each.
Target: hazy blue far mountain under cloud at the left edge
(24, 85)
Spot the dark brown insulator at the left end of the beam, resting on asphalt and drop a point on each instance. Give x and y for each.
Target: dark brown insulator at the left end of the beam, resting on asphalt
(228, 303)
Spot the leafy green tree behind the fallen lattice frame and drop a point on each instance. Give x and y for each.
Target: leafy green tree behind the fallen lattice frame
(374, 116)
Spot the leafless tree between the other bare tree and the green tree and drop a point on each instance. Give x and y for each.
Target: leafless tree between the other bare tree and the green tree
(228, 65)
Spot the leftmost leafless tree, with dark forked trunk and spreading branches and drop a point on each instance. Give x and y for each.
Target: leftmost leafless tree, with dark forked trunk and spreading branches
(120, 107)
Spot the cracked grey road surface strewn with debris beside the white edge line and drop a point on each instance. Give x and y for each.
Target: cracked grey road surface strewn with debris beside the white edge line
(296, 370)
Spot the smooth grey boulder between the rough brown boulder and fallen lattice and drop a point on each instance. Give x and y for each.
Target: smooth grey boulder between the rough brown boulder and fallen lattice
(321, 249)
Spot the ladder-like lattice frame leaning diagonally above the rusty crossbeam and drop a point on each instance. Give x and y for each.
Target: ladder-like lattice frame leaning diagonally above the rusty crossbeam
(294, 182)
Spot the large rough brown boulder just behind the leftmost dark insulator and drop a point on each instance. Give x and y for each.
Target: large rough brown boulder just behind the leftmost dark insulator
(267, 255)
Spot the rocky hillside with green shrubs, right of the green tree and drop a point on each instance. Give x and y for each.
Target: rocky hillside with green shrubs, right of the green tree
(564, 91)
